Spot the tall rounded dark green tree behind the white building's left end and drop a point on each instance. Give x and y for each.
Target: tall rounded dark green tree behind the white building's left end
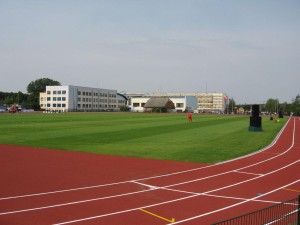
(35, 87)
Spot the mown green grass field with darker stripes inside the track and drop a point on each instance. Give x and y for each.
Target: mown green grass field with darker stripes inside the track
(210, 138)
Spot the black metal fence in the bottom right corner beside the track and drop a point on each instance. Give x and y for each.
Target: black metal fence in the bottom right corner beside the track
(285, 213)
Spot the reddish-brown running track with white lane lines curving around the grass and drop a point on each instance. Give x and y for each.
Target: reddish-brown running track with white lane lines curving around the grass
(40, 186)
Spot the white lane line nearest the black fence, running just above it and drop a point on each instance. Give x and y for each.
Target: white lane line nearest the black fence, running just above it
(231, 206)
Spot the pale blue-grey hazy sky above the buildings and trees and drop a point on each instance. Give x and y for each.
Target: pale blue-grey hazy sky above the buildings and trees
(249, 50)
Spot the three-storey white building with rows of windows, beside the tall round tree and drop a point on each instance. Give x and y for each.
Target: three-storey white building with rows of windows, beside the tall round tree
(80, 99)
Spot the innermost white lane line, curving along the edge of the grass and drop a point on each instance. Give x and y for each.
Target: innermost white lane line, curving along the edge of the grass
(159, 176)
